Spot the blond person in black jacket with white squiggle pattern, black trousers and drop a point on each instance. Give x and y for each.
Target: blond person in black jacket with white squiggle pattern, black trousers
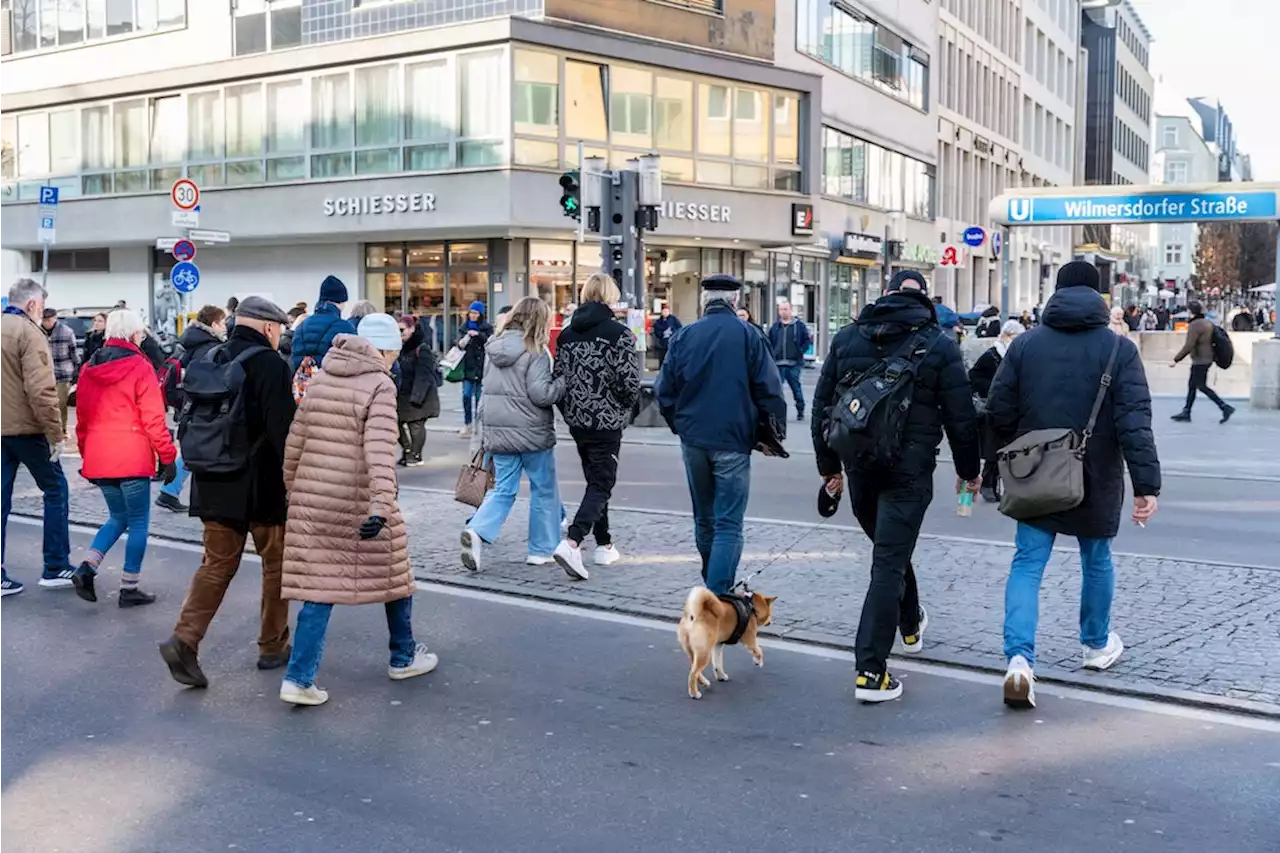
(597, 357)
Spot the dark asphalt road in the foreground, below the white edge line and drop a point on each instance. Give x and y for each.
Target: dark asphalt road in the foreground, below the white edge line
(550, 729)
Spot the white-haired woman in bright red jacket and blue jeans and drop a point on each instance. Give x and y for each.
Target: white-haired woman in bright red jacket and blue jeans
(122, 432)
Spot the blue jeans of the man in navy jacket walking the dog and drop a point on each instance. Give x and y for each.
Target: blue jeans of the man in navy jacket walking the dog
(720, 483)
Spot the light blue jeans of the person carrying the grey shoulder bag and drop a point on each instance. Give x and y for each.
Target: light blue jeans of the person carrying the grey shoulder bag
(1022, 592)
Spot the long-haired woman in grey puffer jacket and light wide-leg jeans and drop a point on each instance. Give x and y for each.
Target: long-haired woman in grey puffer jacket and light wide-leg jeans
(519, 434)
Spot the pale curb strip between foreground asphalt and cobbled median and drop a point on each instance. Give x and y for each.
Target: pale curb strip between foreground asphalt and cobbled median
(968, 663)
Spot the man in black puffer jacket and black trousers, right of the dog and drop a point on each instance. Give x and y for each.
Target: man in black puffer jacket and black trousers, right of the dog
(890, 504)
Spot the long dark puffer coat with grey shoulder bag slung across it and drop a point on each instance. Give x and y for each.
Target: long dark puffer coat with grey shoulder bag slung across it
(1050, 378)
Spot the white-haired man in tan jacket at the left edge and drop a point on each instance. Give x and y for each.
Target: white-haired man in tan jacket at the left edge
(31, 431)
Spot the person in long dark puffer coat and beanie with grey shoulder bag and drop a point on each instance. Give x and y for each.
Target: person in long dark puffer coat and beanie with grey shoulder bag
(1050, 378)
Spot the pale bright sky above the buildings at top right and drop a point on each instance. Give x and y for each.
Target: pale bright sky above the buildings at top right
(1224, 49)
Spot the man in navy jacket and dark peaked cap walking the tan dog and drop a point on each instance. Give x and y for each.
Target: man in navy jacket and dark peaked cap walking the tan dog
(717, 380)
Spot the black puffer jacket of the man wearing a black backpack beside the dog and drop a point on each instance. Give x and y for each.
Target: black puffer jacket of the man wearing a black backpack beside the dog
(943, 399)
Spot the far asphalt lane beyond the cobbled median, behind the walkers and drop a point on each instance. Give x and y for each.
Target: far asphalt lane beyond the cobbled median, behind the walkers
(1201, 518)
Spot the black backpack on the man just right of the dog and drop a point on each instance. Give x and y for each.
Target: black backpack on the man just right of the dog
(866, 426)
